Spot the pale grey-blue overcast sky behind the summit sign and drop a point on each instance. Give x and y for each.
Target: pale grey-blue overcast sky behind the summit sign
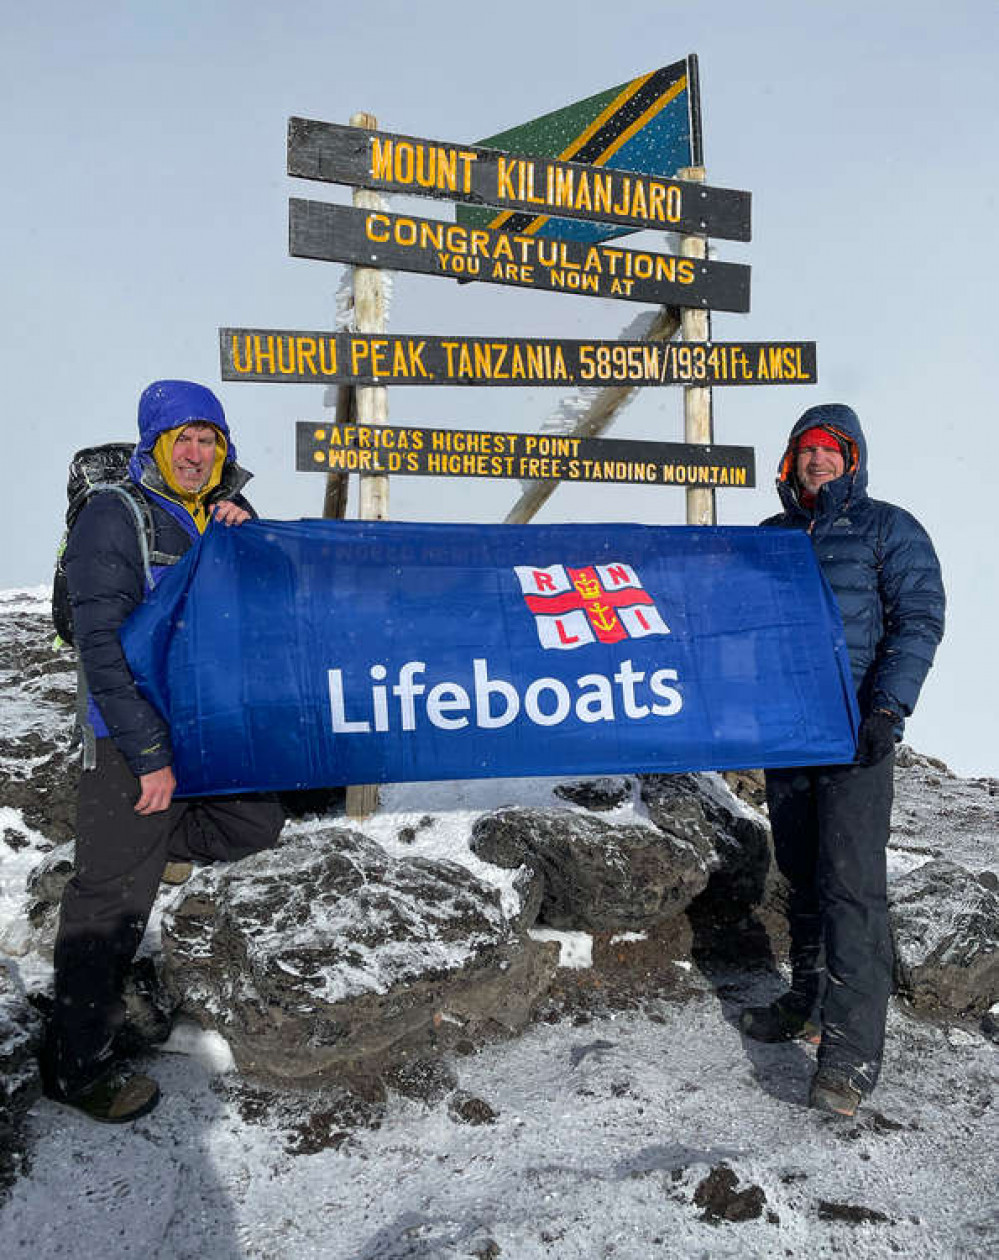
(146, 206)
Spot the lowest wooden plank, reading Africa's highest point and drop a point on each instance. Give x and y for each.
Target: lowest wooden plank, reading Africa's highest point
(409, 452)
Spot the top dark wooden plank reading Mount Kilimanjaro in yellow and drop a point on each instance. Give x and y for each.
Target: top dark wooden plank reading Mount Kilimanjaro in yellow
(392, 163)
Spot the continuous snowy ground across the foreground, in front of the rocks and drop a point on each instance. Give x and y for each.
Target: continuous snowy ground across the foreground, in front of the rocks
(602, 1136)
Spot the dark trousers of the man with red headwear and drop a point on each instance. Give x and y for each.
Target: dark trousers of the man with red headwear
(831, 831)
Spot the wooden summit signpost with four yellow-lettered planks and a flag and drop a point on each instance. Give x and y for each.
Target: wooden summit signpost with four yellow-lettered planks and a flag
(536, 207)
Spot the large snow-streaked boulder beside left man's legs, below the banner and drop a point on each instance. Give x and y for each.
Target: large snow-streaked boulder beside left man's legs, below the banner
(329, 961)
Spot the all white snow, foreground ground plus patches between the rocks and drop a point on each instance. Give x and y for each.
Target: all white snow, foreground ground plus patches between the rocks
(604, 1125)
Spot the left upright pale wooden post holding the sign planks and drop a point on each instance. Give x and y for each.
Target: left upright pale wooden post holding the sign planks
(372, 404)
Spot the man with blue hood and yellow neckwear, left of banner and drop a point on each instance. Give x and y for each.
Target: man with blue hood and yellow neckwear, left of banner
(129, 826)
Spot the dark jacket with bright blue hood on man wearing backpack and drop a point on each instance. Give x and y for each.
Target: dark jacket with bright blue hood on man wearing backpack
(106, 576)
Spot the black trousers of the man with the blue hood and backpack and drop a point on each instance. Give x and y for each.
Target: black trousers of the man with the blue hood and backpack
(119, 861)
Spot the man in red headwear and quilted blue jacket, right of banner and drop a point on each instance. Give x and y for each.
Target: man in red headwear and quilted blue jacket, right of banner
(831, 823)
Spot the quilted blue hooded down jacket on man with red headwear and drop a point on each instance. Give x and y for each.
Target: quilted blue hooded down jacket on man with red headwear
(881, 565)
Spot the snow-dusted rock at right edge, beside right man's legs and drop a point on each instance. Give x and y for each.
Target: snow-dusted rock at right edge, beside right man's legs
(947, 928)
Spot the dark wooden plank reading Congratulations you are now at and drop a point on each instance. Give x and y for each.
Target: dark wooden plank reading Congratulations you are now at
(376, 239)
